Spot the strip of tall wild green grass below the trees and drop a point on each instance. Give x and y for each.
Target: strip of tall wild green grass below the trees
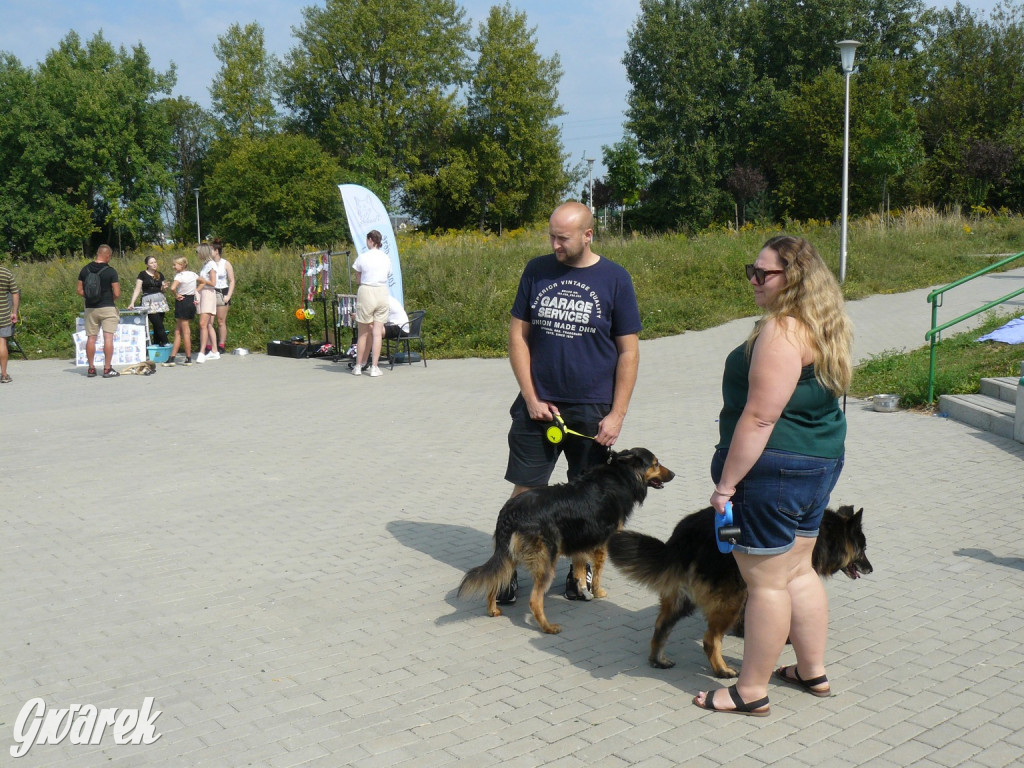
(466, 281)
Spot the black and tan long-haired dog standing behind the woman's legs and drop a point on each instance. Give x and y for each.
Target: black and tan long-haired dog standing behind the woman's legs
(689, 572)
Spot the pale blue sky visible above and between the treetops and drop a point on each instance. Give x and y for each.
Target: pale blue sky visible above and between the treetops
(589, 37)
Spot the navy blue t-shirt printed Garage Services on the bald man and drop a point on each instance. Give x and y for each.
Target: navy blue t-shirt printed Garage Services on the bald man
(576, 315)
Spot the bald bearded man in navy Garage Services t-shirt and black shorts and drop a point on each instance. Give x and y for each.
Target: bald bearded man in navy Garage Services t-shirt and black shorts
(575, 351)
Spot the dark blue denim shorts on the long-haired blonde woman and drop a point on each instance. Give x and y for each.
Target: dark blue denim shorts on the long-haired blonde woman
(784, 496)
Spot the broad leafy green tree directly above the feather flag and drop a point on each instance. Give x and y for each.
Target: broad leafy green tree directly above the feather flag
(368, 78)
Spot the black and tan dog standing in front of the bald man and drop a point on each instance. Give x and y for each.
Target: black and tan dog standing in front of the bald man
(574, 520)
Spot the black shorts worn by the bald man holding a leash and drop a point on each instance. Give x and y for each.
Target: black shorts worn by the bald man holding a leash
(533, 457)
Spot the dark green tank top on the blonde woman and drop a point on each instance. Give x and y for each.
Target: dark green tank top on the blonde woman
(812, 423)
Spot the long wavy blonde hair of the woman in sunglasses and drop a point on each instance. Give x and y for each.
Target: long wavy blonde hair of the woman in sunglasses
(813, 296)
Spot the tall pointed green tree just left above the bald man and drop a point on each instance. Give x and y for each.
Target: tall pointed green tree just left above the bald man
(497, 161)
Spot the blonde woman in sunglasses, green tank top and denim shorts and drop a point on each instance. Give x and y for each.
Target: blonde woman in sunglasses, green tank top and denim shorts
(781, 452)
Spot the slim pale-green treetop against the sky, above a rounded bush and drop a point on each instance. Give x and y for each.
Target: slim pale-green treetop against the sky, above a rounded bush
(242, 94)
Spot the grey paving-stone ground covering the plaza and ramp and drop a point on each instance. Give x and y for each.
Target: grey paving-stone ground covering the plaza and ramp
(270, 548)
